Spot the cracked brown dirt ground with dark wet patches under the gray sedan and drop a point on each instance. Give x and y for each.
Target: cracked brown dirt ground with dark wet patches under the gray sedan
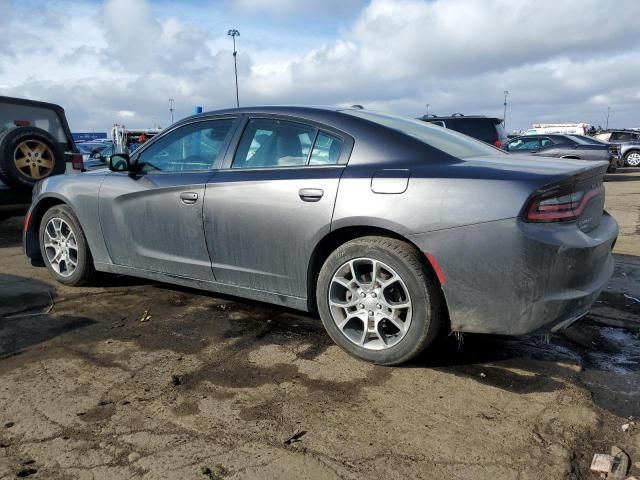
(213, 387)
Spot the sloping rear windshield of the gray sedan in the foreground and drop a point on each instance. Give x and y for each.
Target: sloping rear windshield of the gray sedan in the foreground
(446, 140)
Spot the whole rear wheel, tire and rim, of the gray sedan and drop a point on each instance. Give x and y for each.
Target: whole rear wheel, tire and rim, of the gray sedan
(378, 301)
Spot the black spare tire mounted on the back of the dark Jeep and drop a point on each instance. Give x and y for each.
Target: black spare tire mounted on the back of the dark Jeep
(50, 162)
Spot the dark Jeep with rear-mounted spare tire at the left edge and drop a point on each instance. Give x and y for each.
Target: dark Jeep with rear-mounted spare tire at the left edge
(35, 143)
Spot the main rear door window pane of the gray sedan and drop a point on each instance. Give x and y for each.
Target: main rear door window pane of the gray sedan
(268, 143)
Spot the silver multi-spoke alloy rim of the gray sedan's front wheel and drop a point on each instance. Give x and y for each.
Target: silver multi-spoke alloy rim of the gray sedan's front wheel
(61, 247)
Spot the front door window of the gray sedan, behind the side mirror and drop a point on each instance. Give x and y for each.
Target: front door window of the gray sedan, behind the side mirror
(194, 147)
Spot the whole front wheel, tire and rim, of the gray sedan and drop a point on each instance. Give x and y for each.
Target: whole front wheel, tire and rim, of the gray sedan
(64, 247)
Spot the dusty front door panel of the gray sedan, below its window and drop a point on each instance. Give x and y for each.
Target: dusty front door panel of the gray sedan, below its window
(147, 224)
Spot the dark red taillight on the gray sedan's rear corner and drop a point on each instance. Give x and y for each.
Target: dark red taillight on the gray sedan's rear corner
(560, 206)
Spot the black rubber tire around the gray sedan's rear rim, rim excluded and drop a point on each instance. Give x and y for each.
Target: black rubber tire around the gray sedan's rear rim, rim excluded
(425, 294)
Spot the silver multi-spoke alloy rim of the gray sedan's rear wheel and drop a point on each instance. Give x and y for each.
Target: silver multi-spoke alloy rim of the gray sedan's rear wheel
(370, 303)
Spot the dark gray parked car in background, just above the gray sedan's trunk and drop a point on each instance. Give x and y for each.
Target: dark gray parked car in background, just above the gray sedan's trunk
(565, 146)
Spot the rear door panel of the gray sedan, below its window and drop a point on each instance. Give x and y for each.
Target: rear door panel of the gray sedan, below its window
(261, 228)
